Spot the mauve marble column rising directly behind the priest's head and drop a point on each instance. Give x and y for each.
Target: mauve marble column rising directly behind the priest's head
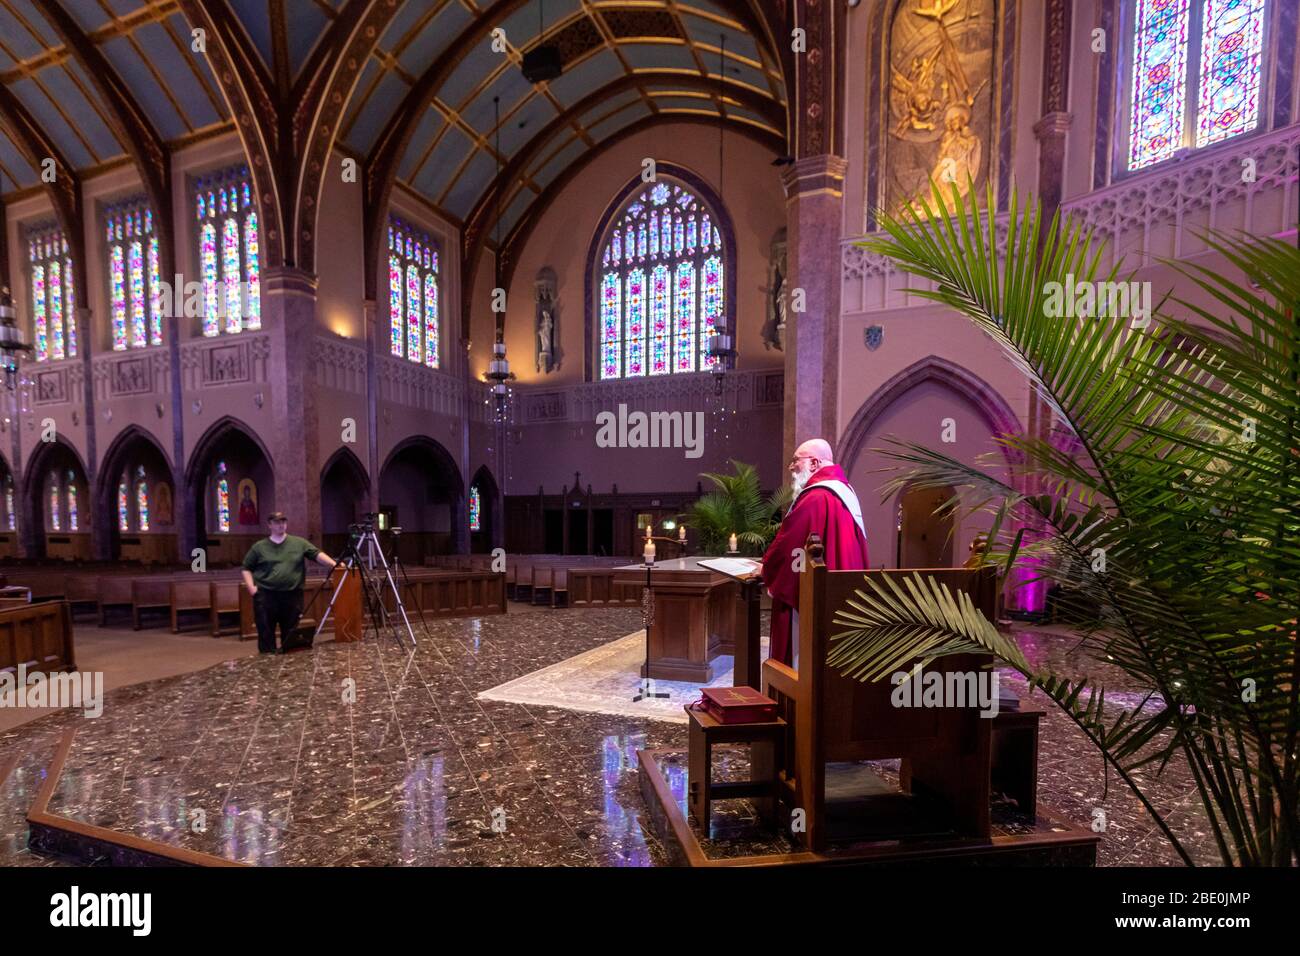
(814, 202)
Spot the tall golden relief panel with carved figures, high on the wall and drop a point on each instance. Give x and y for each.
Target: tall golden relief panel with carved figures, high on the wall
(942, 62)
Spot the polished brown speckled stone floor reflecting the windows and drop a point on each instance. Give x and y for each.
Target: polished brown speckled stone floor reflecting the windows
(366, 755)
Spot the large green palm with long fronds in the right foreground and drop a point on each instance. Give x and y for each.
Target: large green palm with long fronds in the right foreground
(1172, 514)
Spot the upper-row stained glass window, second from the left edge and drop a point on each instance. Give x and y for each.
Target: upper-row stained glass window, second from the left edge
(136, 297)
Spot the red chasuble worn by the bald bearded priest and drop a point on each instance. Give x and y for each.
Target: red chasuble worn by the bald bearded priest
(816, 511)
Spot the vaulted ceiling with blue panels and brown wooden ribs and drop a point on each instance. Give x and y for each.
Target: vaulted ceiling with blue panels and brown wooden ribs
(423, 102)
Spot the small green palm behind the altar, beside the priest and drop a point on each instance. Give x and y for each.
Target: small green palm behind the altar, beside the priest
(738, 507)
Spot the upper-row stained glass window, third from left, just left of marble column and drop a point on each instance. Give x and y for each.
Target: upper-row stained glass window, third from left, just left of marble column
(229, 253)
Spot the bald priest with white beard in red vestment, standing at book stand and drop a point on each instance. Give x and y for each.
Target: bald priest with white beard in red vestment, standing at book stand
(827, 505)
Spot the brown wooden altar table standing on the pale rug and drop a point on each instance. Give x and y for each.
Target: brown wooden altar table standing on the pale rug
(699, 615)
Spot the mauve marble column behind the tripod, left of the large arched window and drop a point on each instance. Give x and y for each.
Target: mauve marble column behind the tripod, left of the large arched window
(289, 317)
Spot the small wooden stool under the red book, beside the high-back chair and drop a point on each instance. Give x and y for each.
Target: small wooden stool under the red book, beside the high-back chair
(705, 734)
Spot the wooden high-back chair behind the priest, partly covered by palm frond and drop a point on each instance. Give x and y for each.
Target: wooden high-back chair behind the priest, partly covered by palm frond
(944, 751)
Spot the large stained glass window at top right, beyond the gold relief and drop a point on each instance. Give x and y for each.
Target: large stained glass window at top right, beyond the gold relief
(1197, 75)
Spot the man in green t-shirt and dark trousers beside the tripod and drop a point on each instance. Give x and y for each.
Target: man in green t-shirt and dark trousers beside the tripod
(275, 574)
